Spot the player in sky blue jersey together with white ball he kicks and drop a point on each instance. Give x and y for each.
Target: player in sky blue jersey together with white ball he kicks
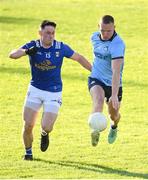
(105, 81)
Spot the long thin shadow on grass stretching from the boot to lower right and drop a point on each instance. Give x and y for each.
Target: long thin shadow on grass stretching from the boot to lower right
(94, 168)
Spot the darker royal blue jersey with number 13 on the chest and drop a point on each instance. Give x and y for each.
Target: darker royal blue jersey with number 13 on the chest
(46, 65)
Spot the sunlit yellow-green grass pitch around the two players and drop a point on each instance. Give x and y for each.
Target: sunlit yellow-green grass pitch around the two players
(70, 154)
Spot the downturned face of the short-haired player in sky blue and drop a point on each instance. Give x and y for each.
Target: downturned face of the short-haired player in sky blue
(107, 30)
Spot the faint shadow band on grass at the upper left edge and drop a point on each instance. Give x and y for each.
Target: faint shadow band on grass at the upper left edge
(17, 20)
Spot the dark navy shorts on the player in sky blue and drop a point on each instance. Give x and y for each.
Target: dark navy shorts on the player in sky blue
(107, 89)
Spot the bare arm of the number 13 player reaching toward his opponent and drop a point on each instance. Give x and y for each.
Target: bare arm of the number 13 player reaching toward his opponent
(82, 60)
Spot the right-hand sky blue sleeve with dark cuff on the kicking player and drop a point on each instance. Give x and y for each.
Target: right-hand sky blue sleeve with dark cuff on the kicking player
(117, 50)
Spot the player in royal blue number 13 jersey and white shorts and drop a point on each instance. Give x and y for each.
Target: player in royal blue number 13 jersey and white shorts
(45, 88)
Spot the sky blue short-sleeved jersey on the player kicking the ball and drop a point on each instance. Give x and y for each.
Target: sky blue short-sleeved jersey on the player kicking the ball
(106, 51)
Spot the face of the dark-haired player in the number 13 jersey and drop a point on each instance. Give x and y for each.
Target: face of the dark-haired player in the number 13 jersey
(47, 35)
